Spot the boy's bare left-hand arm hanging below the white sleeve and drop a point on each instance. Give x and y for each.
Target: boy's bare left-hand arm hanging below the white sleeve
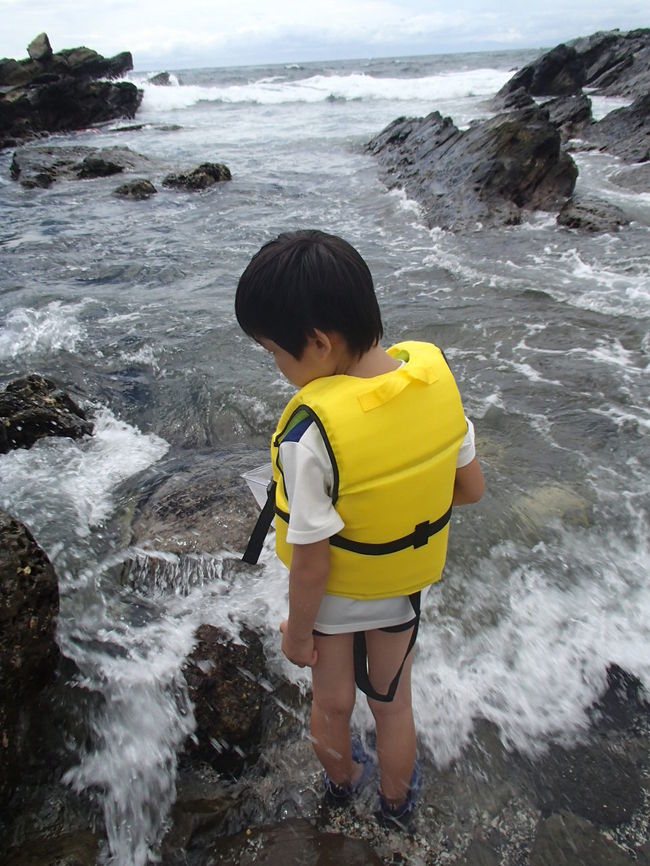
(310, 565)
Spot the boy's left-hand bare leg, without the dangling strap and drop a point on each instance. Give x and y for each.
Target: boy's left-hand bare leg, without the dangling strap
(334, 694)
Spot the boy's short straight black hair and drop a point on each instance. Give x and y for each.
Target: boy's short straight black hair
(306, 280)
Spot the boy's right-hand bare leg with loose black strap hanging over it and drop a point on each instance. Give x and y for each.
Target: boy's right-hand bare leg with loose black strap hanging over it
(396, 743)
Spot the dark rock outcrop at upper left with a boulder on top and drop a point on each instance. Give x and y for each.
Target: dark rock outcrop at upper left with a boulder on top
(54, 92)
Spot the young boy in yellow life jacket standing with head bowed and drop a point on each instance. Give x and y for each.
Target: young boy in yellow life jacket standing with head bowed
(368, 458)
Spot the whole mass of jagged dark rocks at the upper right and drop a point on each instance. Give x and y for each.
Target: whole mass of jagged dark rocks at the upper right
(519, 160)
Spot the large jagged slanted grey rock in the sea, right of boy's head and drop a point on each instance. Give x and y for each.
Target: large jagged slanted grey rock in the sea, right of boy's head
(487, 174)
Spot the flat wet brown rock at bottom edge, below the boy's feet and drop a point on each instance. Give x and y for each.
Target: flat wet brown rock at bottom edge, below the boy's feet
(293, 843)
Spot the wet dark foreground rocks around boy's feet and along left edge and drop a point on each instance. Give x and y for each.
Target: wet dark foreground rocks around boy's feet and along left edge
(588, 803)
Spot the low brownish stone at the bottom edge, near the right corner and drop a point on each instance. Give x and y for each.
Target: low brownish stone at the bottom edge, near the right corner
(566, 840)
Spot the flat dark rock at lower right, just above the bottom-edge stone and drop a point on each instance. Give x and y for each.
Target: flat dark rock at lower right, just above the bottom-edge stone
(590, 781)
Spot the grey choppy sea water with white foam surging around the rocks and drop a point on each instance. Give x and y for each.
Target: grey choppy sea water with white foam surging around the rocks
(130, 305)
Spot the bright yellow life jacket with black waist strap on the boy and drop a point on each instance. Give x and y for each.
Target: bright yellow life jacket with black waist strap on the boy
(393, 441)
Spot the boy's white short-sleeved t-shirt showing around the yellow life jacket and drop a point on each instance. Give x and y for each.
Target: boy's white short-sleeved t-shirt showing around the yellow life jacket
(309, 481)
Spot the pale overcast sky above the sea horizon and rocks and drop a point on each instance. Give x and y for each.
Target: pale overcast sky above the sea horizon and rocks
(181, 33)
